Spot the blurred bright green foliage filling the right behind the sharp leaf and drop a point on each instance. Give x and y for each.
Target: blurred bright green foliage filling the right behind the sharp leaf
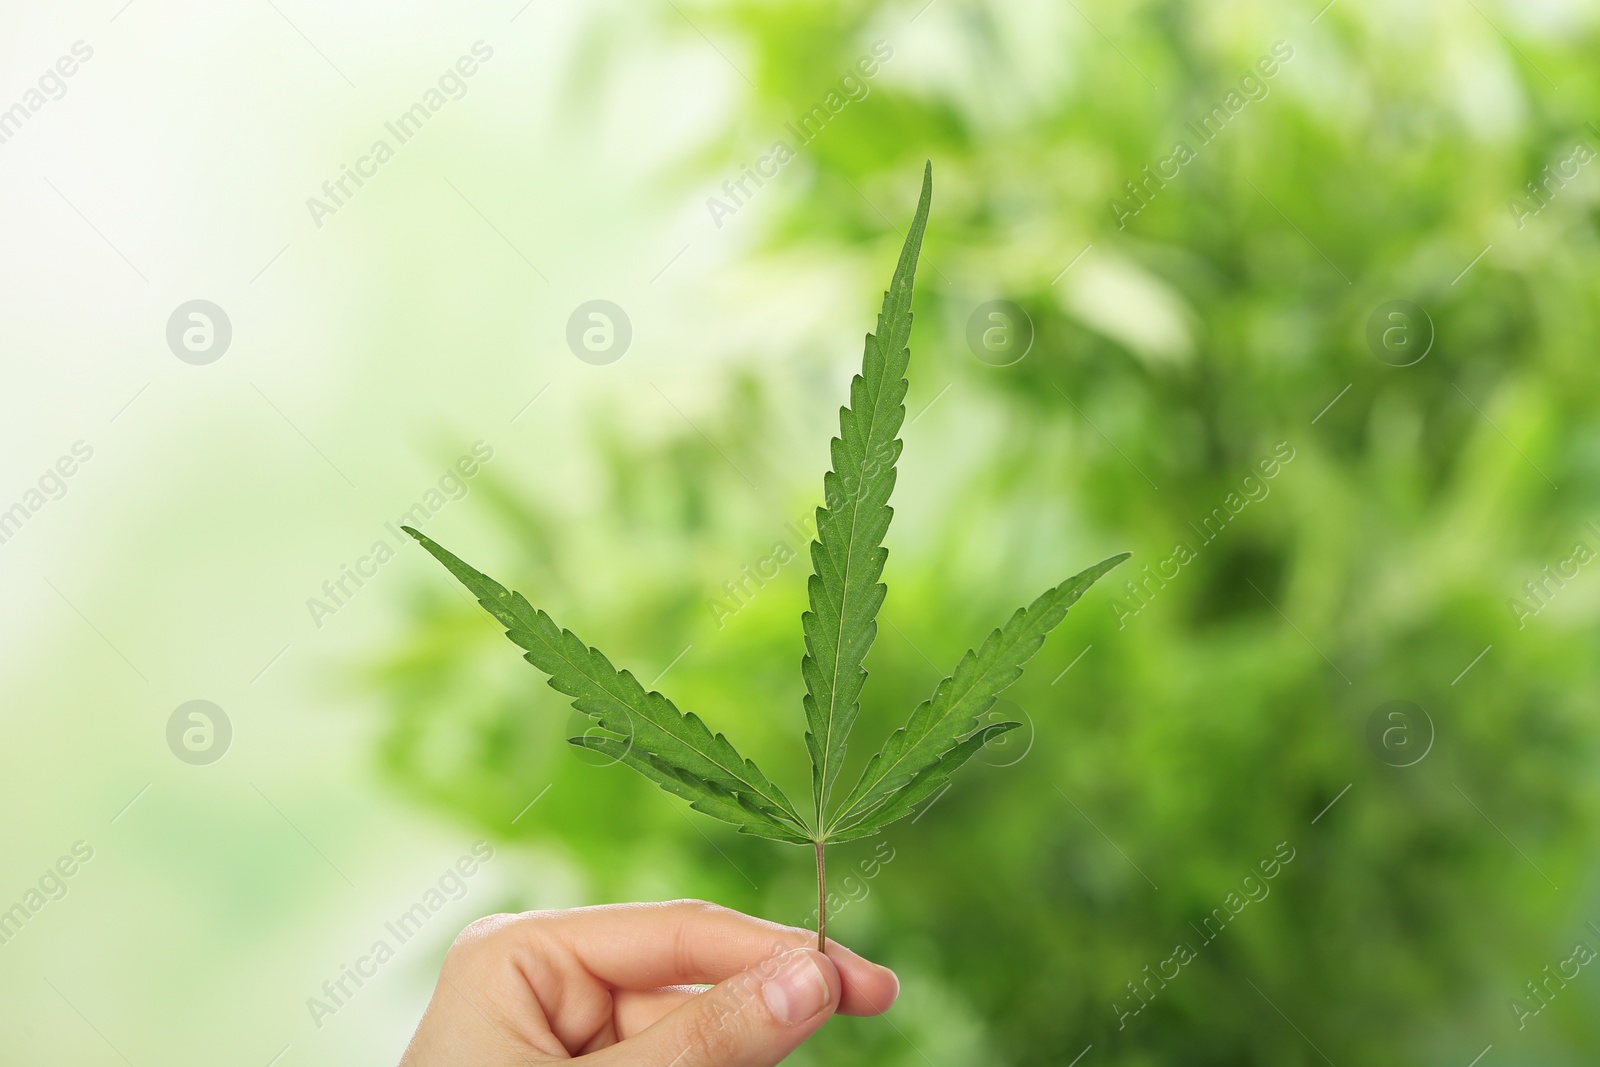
(1220, 721)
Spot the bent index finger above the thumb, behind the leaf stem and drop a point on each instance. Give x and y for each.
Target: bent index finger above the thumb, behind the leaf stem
(676, 943)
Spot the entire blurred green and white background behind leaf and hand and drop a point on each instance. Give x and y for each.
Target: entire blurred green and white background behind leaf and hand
(1383, 665)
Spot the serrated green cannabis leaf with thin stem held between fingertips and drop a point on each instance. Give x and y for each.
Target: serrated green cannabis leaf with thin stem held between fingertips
(681, 754)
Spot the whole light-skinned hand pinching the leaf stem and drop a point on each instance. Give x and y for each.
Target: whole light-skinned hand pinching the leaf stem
(615, 985)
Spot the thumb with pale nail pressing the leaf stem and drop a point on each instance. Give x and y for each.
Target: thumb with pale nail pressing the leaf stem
(753, 1020)
